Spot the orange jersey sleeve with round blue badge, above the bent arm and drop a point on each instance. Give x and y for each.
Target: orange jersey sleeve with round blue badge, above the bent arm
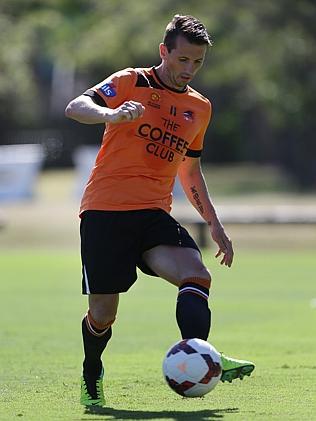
(117, 88)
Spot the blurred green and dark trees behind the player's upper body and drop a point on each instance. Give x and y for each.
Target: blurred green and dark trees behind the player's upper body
(260, 75)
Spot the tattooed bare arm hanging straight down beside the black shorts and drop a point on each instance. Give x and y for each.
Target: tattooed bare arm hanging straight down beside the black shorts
(195, 188)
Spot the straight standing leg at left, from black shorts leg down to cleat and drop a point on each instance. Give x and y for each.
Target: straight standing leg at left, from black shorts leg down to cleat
(108, 268)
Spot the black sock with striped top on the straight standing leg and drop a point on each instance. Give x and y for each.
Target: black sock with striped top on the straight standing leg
(95, 338)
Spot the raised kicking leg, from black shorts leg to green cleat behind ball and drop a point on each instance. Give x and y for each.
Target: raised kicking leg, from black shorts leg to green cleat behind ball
(182, 266)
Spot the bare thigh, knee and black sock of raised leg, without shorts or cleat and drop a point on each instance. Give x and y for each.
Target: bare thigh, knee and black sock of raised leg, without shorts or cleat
(183, 267)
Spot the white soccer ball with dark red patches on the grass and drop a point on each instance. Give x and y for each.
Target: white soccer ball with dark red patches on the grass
(192, 367)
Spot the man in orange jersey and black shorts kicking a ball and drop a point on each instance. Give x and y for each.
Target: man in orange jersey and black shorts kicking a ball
(155, 126)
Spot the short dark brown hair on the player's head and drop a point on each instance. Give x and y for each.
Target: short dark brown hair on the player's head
(190, 28)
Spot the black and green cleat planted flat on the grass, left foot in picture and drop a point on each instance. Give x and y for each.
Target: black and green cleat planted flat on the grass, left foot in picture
(92, 391)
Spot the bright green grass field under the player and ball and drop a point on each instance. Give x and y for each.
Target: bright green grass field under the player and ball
(262, 311)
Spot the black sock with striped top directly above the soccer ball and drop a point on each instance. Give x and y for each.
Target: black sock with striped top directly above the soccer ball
(192, 312)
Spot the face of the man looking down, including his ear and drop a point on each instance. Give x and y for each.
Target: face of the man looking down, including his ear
(182, 63)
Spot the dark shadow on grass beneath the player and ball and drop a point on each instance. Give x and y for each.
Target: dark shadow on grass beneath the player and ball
(119, 414)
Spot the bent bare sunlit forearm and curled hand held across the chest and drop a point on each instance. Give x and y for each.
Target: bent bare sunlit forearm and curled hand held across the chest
(85, 110)
